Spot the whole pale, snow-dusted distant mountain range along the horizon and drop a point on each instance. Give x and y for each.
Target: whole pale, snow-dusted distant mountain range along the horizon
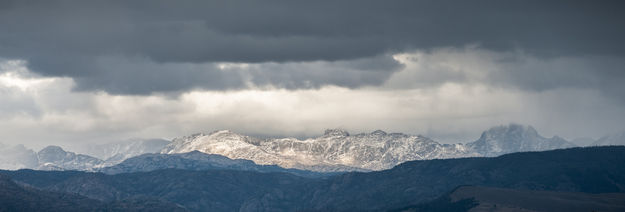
(335, 151)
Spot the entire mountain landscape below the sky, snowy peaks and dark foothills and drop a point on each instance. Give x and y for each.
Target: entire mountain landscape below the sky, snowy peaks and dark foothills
(505, 169)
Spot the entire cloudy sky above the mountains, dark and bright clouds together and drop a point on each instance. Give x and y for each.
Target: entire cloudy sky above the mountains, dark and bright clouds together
(76, 72)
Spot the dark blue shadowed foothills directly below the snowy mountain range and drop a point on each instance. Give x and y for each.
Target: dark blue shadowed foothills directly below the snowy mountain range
(588, 173)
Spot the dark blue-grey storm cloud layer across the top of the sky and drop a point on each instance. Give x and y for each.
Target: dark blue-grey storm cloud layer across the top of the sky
(179, 42)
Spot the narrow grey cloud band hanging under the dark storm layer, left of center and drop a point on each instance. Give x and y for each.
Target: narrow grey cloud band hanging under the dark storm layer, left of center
(119, 75)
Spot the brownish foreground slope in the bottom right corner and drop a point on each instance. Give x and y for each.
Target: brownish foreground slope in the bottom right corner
(477, 199)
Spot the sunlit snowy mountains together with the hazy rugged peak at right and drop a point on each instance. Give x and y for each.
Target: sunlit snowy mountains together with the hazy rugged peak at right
(337, 150)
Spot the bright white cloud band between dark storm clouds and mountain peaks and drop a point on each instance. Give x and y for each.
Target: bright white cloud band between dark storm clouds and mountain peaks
(457, 103)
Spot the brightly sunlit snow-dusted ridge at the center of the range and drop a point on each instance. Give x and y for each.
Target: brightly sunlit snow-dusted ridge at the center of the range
(336, 150)
